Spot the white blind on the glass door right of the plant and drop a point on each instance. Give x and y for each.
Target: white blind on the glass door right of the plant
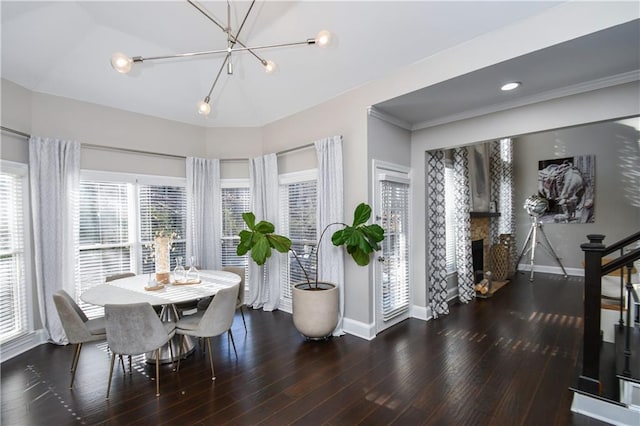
(395, 248)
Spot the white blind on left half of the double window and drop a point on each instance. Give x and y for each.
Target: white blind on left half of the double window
(105, 243)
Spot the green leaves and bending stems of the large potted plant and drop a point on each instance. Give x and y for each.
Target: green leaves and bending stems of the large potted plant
(359, 239)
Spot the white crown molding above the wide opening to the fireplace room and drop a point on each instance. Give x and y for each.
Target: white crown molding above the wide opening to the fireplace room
(575, 89)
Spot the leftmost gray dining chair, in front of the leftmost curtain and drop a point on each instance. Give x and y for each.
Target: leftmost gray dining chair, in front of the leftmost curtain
(78, 328)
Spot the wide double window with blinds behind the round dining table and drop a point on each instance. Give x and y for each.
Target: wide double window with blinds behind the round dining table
(119, 215)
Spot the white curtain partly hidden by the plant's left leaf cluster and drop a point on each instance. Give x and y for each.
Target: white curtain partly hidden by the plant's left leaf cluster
(264, 281)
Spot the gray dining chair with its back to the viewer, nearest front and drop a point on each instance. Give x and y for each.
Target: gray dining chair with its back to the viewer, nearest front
(134, 329)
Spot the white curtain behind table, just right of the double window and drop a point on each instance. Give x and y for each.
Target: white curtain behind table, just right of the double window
(204, 213)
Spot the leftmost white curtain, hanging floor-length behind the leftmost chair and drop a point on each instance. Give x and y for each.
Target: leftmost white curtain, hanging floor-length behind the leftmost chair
(54, 172)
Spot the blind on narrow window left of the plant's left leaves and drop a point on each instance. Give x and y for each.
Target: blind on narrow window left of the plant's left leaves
(235, 201)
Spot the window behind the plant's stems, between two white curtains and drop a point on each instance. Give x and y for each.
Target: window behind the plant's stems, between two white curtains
(298, 200)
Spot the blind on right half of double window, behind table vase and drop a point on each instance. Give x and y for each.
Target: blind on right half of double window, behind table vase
(162, 208)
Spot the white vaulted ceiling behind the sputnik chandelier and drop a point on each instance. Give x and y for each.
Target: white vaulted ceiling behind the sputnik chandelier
(63, 48)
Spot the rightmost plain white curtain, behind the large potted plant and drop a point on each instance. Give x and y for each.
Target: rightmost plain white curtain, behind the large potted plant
(330, 210)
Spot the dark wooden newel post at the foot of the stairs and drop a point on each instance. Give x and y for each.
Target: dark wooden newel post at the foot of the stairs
(589, 379)
